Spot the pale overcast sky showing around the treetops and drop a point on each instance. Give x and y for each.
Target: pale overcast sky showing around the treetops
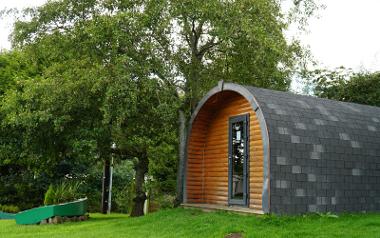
(347, 33)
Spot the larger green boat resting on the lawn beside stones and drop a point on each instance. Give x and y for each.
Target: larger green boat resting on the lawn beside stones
(36, 215)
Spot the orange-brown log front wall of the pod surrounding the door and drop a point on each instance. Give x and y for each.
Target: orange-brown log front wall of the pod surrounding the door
(207, 163)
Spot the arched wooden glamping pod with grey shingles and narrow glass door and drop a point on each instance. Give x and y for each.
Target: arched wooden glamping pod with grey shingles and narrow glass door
(264, 151)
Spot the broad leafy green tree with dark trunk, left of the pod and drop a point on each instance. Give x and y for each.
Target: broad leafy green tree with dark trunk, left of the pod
(98, 86)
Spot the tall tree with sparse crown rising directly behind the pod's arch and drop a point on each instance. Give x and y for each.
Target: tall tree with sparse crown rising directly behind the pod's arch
(235, 41)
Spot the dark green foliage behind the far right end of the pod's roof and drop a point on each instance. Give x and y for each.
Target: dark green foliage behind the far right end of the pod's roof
(345, 85)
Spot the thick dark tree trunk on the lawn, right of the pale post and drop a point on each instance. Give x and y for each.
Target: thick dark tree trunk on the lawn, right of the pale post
(141, 169)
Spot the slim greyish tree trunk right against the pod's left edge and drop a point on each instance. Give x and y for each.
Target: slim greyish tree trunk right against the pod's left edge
(182, 154)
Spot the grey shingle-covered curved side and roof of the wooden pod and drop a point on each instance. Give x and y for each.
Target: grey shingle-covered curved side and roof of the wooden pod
(327, 158)
